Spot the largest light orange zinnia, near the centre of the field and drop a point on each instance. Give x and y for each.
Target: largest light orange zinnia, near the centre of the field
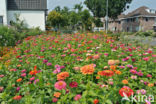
(87, 69)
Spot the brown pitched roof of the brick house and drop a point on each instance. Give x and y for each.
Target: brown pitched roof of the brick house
(142, 11)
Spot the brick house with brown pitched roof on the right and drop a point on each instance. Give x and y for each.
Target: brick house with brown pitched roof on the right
(141, 19)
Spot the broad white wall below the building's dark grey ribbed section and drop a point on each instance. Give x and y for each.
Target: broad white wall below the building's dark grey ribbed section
(31, 18)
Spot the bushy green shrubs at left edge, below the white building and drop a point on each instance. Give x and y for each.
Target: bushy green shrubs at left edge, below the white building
(10, 36)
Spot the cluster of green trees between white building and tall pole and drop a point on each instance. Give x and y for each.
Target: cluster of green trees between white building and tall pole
(70, 19)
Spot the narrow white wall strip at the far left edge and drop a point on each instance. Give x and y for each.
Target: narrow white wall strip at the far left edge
(3, 11)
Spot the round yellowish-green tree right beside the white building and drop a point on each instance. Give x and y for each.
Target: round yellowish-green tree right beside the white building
(55, 18)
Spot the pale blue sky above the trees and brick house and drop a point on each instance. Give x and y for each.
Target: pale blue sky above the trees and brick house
(70, 3)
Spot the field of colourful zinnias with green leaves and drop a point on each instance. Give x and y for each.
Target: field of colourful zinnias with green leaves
(77, 69)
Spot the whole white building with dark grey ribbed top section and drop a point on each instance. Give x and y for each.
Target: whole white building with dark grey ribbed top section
(32, 12)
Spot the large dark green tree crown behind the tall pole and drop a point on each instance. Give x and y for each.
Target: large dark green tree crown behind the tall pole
(115, 8)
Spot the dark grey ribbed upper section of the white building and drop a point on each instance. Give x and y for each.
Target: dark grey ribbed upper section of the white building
(27, 4)
